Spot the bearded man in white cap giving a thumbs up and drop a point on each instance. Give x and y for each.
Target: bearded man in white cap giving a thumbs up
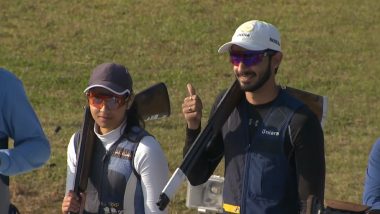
(272, 143)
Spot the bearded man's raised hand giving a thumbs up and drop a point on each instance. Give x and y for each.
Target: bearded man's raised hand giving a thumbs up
(192, 108)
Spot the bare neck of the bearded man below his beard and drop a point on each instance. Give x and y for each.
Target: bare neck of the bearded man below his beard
(265, 94)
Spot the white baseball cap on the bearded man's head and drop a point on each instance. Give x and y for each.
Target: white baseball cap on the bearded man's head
(254, 35)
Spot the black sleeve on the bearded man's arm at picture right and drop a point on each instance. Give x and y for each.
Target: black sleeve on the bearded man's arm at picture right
(307, 144)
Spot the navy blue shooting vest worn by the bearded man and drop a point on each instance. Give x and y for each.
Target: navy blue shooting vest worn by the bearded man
(258, 177)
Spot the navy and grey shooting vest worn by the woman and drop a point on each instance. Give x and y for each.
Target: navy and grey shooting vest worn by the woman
(114, 185)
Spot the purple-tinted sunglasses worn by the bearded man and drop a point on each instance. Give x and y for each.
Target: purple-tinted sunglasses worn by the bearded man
(248, 58)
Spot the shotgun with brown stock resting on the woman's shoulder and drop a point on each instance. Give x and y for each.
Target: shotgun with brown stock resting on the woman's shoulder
(152, 103)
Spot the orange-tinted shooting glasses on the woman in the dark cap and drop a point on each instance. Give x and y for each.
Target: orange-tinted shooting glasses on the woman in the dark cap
(112, 101)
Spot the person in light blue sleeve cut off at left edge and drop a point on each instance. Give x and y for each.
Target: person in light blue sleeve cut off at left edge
(18, 121)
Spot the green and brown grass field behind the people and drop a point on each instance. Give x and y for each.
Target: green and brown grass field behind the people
(330, 48)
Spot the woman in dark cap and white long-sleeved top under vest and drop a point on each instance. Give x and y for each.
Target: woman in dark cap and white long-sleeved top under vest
(129, 169)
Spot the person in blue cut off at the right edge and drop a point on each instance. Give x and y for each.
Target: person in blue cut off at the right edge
(371, 195)
